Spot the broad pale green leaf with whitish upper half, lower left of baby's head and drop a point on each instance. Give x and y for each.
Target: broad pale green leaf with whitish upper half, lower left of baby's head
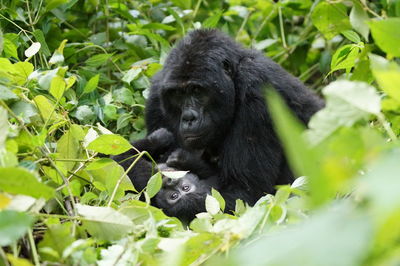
(104, 222)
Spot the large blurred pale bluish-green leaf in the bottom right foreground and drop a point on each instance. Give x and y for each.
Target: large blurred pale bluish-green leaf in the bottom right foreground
(306, 242)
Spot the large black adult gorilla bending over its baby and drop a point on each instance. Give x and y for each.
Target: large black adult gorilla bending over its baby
(209, 95)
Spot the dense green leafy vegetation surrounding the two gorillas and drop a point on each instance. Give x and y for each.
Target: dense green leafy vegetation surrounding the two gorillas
(72, 72)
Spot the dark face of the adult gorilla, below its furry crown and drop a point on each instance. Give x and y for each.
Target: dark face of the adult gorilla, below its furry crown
(199, 110)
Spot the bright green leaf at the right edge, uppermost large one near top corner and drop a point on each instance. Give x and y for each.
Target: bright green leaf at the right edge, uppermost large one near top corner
(386, 34)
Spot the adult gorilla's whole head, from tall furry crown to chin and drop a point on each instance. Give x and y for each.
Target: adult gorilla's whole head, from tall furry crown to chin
(197, 91)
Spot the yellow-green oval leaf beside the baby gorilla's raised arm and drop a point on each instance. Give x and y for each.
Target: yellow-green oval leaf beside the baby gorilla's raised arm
(110, 144)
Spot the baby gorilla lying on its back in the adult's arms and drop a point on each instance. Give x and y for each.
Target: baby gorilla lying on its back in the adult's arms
(179, 197)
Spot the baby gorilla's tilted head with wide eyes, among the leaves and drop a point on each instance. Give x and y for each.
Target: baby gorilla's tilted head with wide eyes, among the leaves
(182, 197)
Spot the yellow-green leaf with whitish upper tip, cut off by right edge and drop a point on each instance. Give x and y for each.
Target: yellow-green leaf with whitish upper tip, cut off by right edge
(387, 75)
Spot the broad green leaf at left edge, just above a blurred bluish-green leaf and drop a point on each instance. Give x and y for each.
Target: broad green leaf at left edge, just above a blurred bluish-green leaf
(19, 181)
